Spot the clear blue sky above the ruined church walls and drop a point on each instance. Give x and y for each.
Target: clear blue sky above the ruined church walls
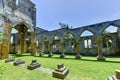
(76, 13)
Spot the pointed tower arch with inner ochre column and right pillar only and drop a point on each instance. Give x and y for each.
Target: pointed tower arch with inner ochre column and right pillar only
(22, 28)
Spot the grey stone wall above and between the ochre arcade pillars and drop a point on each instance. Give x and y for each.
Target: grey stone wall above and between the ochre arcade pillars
(96, 29)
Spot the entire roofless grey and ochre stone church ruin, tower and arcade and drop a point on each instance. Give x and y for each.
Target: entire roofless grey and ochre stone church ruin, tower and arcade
(22, 17)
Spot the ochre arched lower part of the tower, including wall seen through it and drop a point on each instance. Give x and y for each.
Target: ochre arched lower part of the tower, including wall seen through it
(23, 36)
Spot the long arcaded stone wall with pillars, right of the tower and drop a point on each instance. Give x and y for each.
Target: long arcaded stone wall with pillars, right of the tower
(69, 41)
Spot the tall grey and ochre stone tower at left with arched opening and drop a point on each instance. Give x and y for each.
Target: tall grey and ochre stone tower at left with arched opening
(19, 15)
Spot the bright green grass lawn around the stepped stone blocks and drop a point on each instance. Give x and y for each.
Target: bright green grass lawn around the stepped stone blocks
(87, 68)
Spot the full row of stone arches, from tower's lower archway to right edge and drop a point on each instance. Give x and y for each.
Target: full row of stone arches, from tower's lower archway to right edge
(64, 41)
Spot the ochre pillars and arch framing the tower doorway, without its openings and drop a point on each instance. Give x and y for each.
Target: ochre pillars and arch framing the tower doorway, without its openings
(22, 29)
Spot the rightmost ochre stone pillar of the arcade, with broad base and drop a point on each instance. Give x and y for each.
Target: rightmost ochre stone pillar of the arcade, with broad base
(99, 45)
